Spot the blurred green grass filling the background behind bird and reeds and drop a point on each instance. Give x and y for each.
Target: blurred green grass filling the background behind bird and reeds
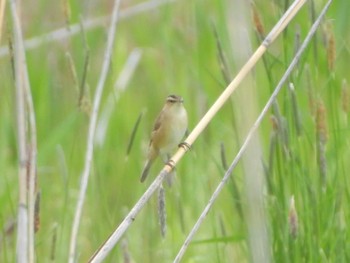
(305, 142)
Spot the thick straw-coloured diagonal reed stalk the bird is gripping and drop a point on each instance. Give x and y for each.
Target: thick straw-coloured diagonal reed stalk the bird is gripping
(108, 245)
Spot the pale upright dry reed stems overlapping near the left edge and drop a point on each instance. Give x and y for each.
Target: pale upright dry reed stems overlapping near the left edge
(25, 233)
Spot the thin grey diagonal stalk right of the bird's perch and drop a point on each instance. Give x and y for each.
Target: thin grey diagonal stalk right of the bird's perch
(252, 131)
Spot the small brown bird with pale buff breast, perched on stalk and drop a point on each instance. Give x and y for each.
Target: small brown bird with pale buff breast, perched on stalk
(169, 128)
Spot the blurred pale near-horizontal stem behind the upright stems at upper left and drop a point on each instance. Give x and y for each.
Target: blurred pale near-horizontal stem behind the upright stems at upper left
(63, 33)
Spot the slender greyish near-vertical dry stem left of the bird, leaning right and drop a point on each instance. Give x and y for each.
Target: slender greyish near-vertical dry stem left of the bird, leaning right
(91, 132)
